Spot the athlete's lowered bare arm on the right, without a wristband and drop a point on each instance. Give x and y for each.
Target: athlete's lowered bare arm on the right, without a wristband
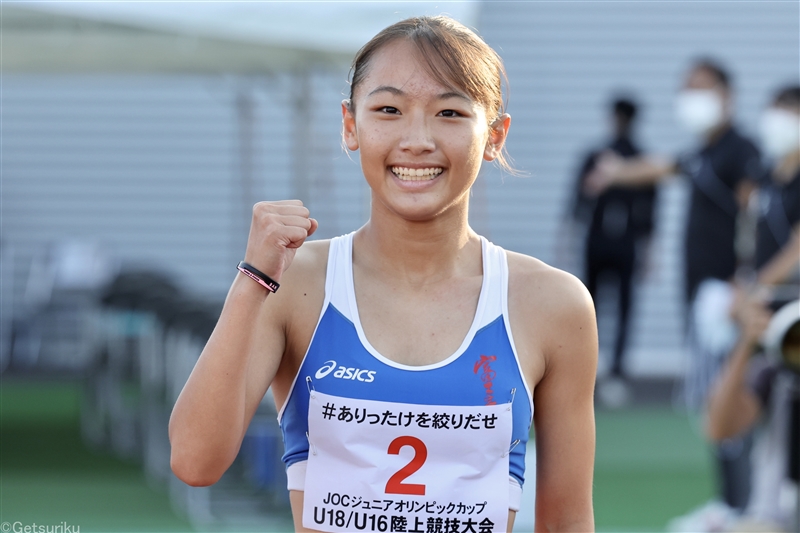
(564, 408)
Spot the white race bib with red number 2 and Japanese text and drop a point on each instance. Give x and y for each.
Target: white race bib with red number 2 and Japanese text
(385, 466)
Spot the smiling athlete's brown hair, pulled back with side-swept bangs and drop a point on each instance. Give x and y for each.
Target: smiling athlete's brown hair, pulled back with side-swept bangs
(454, 56)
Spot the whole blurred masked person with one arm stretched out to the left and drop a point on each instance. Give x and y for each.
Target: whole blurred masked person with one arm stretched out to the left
(722, 170)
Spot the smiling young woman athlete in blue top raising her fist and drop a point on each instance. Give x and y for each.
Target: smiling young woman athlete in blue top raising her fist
(407, 357)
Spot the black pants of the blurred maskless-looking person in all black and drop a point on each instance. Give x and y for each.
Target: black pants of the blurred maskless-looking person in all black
(616, 257)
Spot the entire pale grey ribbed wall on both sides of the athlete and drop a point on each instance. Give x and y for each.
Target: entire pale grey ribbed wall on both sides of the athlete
(152, 166)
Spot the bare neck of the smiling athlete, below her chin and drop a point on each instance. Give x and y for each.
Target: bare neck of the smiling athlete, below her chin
(417, 252)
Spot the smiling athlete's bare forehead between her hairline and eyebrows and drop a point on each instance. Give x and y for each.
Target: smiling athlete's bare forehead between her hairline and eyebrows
(400, 65)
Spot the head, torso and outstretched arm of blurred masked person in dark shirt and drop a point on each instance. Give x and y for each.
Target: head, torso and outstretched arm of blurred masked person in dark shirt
(722, 170)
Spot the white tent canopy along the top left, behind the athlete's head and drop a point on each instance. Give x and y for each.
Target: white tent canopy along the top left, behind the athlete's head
(229, 37)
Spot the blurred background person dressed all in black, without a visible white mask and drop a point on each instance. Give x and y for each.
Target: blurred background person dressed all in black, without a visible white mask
(619, 224)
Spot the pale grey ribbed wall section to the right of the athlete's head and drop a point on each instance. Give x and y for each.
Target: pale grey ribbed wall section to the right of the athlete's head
(564, 61)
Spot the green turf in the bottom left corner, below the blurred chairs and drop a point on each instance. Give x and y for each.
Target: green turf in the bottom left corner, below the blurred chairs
(48, 477)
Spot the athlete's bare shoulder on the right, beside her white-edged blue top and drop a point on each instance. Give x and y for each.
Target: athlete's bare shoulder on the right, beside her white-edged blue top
(551, 312)
